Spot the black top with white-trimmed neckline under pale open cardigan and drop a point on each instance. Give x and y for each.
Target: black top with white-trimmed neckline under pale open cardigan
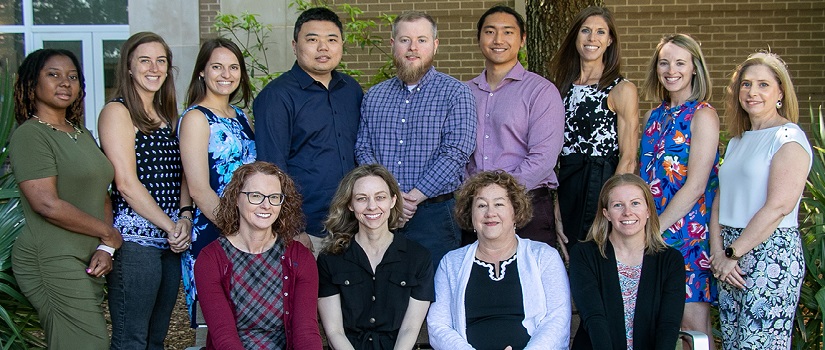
(494, 307)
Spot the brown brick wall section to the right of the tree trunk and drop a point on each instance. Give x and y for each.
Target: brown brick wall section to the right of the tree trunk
(729, 30)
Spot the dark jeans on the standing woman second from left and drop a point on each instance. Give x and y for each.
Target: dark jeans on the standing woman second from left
(143, 289)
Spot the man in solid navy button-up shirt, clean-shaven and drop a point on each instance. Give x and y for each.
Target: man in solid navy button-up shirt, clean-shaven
(306, 120)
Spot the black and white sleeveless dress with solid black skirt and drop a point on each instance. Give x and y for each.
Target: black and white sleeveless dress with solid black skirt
(589, 156)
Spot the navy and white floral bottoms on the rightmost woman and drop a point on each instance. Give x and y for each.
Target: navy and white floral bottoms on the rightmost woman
(761, 315)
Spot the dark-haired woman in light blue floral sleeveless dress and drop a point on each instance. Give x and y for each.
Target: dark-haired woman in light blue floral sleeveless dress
(215, 139)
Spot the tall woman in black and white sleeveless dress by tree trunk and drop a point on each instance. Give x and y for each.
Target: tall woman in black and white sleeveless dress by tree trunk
(601, 124)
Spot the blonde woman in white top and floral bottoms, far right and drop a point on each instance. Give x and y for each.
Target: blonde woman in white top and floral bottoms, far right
(755, 243)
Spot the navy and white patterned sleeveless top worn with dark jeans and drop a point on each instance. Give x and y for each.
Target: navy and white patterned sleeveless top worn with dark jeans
(159, 169)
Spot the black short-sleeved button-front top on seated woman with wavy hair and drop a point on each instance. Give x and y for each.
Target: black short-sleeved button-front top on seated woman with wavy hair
(373, 305)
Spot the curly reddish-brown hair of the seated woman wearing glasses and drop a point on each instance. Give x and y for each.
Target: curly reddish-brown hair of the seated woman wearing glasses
(290, 221)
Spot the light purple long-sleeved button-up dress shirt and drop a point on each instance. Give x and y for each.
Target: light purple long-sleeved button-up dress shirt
(520, 127)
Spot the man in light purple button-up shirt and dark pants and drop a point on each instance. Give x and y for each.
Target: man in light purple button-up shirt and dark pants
(520, 119)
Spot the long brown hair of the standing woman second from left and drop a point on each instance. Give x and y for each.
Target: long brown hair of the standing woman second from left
(164, 100)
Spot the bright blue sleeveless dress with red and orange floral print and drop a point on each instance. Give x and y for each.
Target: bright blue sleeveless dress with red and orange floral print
(665, 152)
